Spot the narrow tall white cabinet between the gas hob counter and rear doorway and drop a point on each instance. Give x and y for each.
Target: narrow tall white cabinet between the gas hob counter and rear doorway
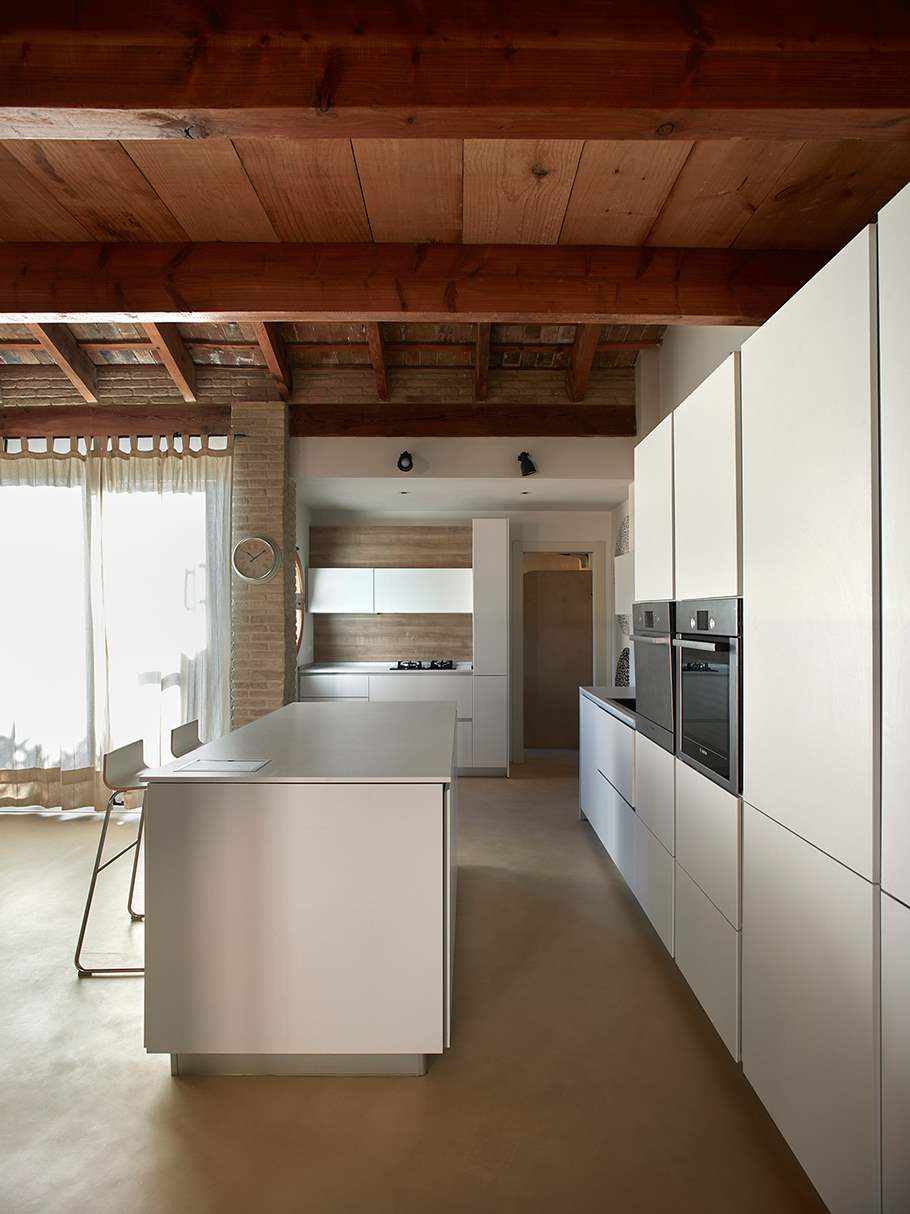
(492, 608)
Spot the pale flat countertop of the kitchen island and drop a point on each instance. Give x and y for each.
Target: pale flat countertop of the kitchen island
(334, 742)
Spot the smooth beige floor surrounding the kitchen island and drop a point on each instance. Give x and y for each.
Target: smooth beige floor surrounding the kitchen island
(584, 1077)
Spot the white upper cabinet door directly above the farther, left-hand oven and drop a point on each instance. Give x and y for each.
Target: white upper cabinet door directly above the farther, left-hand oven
(655, 514)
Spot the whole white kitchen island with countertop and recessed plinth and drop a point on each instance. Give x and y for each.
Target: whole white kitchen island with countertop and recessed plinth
(300, 918)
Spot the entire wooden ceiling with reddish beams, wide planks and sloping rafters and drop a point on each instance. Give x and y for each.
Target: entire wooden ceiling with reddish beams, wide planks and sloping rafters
(426, 209)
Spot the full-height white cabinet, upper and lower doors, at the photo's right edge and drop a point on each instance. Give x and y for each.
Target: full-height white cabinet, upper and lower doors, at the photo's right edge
(895, 385)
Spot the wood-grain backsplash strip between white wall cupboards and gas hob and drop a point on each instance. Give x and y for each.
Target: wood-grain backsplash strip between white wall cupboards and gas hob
(338, 638)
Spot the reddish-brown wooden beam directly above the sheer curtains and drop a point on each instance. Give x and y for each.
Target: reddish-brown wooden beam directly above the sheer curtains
(76, 422)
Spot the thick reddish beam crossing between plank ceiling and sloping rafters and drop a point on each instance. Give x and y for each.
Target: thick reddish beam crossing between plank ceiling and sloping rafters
(331, 283)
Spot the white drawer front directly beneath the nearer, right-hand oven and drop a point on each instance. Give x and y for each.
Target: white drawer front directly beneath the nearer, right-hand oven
(708, 838)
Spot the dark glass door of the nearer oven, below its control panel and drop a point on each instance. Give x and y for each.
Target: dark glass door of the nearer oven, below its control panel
(708, 708)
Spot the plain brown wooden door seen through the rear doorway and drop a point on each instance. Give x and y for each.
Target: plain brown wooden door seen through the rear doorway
(559, 655)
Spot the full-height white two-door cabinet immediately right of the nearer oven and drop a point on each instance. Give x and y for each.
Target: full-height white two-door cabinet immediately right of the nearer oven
(811, 836)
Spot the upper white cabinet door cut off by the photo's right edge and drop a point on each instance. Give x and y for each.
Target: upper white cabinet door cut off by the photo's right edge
(895, 371)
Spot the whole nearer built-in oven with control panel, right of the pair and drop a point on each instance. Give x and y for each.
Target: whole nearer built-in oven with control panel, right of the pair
(709, 688)
